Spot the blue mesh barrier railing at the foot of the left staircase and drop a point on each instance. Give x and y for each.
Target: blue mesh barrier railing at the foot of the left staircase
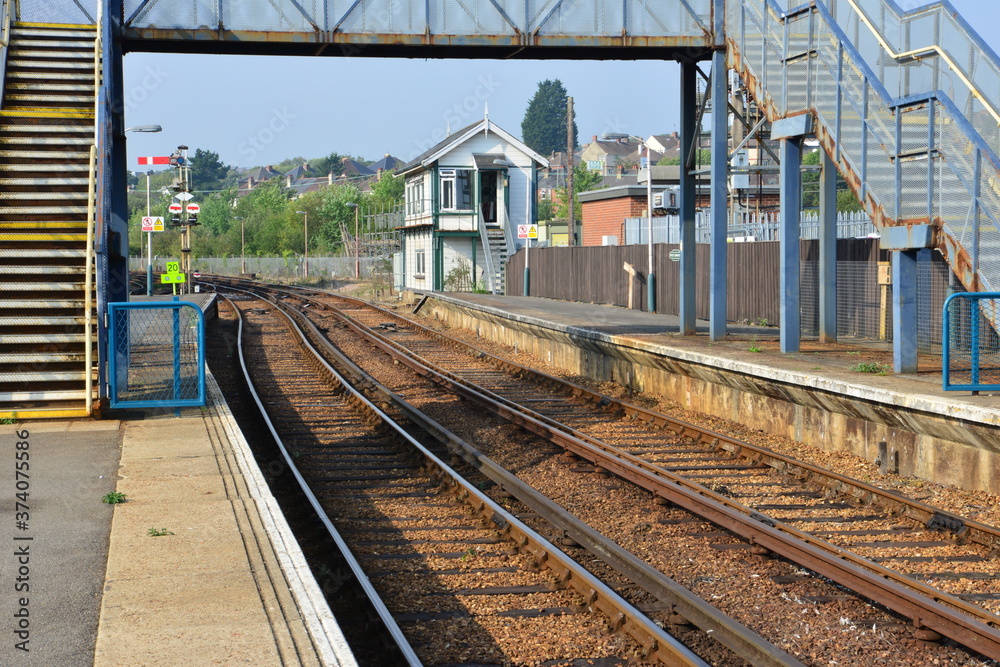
(156, 355)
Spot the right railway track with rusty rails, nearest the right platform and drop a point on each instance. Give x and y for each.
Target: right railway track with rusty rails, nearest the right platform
(825, 522)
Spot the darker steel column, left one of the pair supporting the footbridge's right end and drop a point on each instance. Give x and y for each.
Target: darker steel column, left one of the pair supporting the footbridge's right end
(689, 112)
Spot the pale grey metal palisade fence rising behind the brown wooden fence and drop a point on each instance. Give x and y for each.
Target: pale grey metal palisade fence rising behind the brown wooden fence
(763, 226)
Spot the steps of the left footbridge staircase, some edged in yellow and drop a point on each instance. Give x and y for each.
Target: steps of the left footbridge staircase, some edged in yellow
(47, 365)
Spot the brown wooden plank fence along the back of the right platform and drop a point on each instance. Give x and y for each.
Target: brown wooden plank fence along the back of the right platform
(596, 274)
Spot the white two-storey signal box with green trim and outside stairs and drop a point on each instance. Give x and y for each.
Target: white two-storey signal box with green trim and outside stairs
(464, 201)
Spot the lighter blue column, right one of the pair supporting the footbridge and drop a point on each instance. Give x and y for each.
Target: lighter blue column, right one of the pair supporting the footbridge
(720, 213)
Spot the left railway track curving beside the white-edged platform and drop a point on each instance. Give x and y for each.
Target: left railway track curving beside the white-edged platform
(463, 581)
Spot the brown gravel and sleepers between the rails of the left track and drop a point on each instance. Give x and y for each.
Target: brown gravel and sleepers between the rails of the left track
(423, 552)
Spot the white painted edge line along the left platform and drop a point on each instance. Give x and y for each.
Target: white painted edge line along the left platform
(322, 625)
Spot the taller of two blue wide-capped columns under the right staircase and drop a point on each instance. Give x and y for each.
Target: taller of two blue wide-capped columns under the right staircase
(791, 212)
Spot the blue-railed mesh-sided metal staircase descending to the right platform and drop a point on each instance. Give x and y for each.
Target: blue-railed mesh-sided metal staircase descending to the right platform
(906, 104)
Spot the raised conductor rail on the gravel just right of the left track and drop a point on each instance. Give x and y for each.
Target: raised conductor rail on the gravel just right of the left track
(726, 630)
